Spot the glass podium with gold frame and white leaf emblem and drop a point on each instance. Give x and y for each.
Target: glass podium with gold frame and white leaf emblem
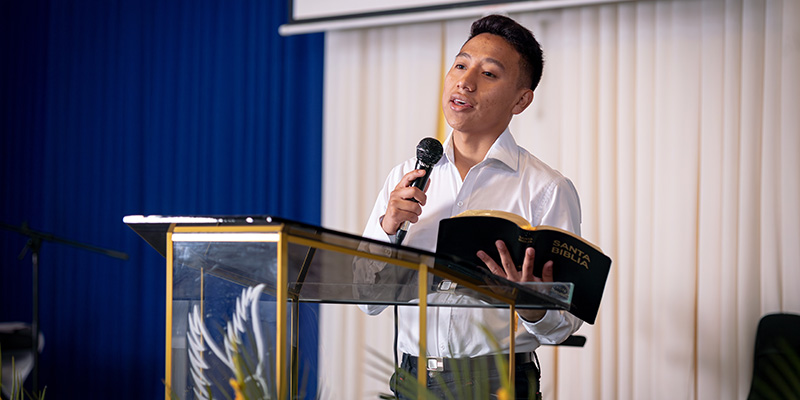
(234, 285)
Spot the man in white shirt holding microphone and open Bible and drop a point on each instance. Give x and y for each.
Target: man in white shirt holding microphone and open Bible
(492, 79)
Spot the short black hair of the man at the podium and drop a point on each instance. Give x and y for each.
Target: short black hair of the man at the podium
(519, 37)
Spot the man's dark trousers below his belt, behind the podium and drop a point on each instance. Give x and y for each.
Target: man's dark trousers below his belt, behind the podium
(465, 379)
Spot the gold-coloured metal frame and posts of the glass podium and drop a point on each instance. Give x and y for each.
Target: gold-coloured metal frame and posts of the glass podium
(274, 230)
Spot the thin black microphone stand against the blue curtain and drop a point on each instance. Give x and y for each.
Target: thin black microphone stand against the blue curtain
(34, 244)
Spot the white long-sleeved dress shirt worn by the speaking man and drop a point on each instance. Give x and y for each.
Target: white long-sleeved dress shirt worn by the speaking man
(508, 179)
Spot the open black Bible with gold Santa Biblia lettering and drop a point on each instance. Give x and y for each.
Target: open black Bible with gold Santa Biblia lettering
(574, 259)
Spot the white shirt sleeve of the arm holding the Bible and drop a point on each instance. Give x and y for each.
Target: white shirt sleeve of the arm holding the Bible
(561, 209)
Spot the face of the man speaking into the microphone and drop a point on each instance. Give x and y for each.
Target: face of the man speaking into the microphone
(482, 90)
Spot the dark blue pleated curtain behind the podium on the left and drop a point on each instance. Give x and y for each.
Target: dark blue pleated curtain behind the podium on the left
(110, 108)
